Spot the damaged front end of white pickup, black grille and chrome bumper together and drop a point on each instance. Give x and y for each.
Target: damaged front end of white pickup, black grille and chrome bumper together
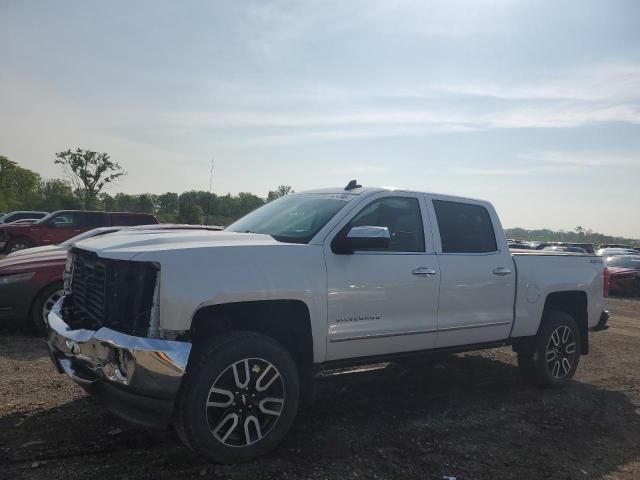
(104, 335)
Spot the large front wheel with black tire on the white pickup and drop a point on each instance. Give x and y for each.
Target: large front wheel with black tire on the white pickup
(203, 428)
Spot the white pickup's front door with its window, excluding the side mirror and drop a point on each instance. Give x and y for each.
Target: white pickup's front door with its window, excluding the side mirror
(384, 301)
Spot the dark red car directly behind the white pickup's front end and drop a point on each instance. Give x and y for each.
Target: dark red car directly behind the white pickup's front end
(30, 283)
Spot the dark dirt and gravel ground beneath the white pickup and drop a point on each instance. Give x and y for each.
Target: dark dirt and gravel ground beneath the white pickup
(470, 416)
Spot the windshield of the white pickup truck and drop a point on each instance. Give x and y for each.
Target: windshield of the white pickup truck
(294, 218)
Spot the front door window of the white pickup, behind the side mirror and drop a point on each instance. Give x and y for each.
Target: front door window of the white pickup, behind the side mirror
(401, 215)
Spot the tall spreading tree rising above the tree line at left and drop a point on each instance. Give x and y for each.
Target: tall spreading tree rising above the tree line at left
(89, 172)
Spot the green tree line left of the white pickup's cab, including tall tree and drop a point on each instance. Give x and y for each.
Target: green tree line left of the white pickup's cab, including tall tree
(89, 173)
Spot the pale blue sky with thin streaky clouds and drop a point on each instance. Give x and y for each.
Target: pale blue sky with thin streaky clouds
(532, 105)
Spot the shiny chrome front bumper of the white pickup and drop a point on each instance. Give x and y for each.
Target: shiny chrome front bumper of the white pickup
(144, 367)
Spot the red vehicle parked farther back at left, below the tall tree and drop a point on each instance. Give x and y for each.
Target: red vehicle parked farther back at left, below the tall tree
(59, 226)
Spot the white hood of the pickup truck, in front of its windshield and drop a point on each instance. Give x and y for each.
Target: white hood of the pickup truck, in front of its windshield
(124, 245)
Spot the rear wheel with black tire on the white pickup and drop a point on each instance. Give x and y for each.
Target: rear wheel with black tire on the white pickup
(543, 360)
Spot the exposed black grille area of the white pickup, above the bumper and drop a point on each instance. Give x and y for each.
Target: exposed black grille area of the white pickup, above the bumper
(110, 293)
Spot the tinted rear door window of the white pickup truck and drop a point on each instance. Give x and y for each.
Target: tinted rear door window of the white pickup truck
(464, 227)
